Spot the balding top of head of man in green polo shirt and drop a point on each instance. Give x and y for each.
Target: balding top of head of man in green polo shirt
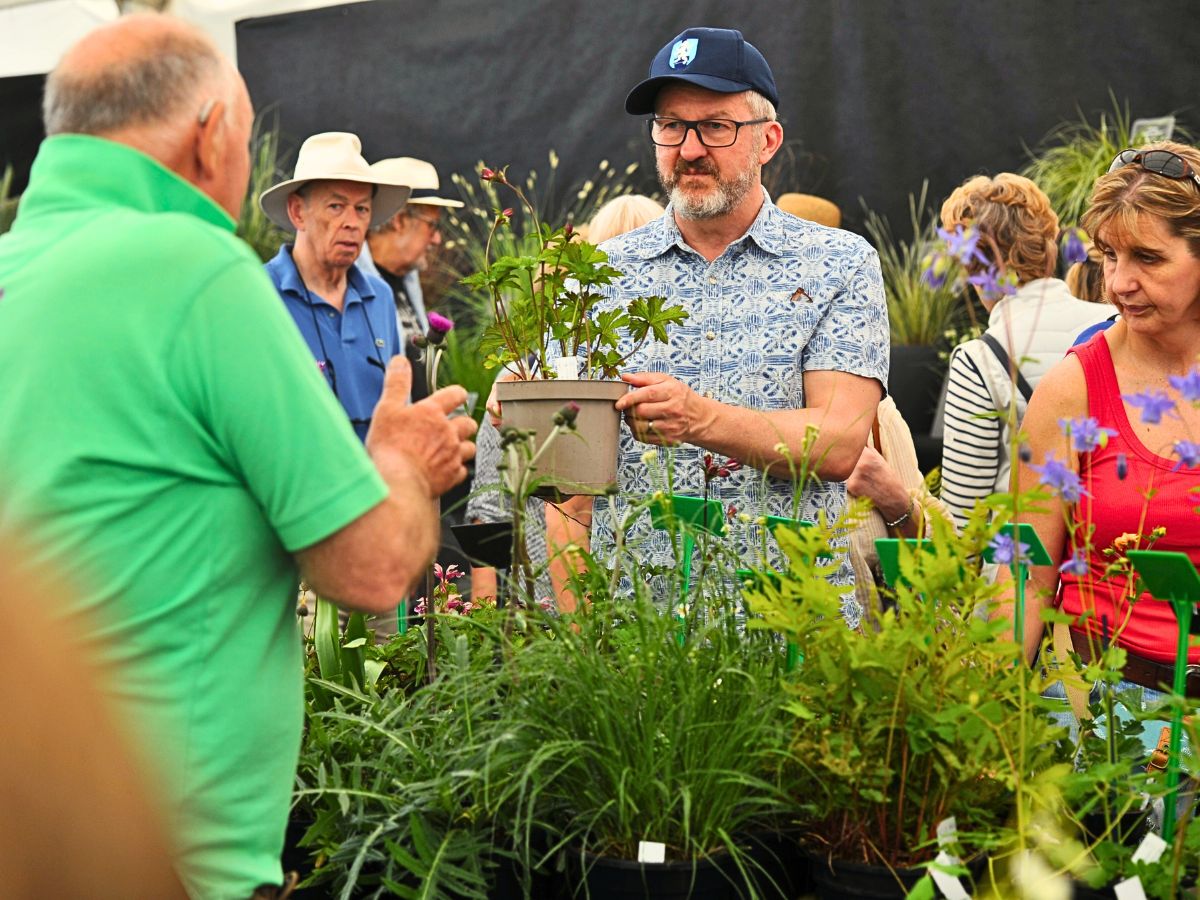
(139, 73)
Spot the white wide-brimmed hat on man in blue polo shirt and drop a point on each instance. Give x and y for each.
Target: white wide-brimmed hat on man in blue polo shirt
(334, 157)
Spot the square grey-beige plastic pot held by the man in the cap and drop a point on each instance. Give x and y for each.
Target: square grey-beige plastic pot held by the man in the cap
(580, 464)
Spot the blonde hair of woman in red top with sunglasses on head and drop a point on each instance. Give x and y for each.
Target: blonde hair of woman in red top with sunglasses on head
(1123, 196)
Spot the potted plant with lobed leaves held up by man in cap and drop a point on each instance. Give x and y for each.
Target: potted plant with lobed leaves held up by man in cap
(554, 333)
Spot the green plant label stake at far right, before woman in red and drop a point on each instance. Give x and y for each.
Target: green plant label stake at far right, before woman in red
(1172, 577)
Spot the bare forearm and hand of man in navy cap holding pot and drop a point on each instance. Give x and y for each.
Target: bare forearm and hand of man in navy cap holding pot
(842, 406)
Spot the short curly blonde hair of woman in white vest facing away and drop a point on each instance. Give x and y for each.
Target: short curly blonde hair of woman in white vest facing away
(1016, 214)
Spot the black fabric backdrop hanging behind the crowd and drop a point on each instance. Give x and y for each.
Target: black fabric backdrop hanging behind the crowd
(881, 95)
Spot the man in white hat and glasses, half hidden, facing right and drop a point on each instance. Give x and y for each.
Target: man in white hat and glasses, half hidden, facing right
(399, 249)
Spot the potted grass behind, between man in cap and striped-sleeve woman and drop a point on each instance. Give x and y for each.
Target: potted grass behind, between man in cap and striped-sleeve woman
(921, 316)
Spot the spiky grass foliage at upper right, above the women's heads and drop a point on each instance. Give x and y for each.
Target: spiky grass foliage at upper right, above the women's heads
(1075, 154)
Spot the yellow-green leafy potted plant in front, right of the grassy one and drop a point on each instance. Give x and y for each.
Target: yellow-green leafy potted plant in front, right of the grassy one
(921, 718)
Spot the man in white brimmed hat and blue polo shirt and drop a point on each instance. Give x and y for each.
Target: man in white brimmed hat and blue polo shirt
(345, 315)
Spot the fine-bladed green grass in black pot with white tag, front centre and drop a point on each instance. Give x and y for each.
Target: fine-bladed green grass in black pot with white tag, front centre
(650, 735)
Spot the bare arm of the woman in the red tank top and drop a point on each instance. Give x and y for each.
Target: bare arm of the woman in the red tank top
(1061, 394)
